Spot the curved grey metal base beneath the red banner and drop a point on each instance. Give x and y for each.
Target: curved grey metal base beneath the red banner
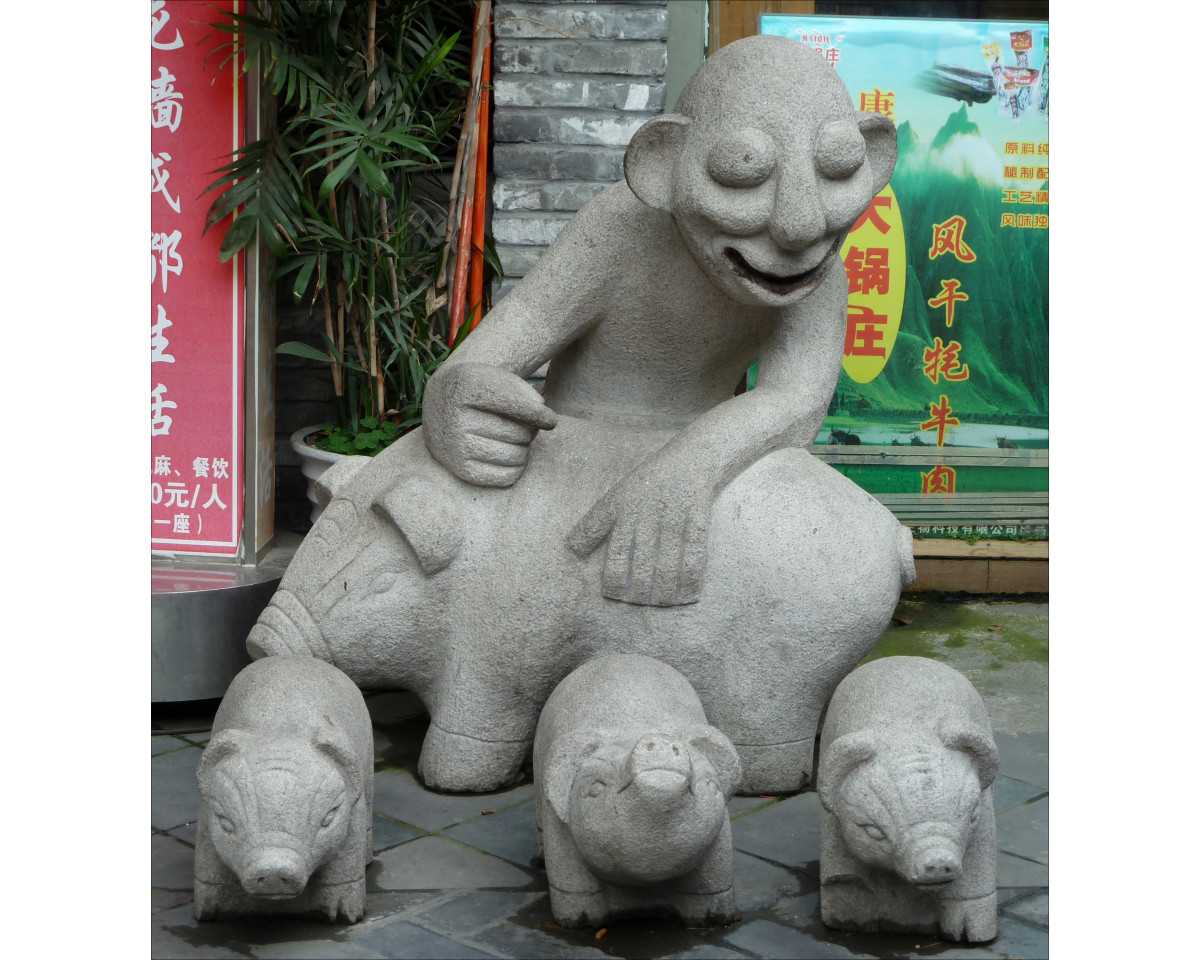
(201, 615)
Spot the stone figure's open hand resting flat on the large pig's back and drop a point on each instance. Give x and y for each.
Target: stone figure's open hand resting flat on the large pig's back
(657, 525)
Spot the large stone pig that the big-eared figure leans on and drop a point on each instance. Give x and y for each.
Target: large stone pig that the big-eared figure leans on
(471, 598)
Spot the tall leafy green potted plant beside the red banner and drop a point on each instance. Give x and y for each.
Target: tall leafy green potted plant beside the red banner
(350, 193)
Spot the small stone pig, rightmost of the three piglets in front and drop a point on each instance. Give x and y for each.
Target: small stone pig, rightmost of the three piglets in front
(908, 825)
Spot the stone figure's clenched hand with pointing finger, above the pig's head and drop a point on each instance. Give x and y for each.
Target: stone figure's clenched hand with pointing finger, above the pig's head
(479, 422)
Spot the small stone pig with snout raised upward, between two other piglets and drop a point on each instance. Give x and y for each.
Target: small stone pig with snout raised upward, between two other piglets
(632, 789)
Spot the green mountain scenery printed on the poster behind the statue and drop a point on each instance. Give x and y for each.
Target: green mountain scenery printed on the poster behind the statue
(1003, 328)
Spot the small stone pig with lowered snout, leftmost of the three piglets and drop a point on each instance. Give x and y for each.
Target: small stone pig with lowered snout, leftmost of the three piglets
(286, 795)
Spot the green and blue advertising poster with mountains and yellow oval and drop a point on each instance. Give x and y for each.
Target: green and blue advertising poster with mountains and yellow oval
(941, 410)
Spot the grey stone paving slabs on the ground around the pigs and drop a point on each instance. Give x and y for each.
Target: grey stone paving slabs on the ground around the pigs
(453, 875)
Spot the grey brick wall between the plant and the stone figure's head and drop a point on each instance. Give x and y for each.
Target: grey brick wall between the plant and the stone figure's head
(566, 107)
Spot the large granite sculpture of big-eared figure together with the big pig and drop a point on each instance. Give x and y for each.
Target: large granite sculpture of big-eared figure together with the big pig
(638, 506)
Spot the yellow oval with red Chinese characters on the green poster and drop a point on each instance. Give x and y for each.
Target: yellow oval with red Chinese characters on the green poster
(877, 268)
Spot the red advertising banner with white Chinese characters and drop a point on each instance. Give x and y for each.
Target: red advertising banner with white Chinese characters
(197, 304)
